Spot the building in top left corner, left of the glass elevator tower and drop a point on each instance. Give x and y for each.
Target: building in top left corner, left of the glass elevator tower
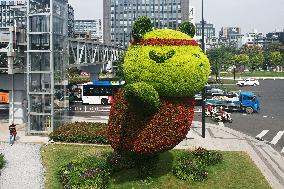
(11, 11)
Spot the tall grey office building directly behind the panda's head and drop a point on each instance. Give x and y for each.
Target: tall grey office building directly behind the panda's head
(119, 16)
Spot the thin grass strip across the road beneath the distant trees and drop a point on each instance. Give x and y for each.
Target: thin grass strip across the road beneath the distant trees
(254, 74)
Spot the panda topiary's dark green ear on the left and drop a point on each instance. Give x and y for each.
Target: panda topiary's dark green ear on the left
(140, 27)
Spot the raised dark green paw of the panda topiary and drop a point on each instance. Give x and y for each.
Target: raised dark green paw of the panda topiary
(142, 97)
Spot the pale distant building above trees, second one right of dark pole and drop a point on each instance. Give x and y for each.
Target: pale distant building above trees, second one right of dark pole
(231, 35)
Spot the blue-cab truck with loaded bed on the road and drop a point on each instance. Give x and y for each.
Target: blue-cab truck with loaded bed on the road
(245, 101)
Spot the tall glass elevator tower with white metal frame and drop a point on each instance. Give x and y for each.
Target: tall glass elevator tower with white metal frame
(46, 64)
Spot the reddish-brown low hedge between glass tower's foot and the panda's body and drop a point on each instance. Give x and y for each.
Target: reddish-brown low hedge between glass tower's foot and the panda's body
(81, 132)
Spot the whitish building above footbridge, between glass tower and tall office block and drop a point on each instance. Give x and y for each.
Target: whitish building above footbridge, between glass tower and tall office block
(93, 26)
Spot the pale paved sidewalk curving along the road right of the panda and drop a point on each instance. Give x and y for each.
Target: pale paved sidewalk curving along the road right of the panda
(218, 137)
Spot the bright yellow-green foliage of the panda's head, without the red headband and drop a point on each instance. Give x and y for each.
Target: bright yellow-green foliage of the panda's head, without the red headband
(182, 75)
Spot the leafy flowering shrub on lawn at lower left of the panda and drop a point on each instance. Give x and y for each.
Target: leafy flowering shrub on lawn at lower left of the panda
(88, 173)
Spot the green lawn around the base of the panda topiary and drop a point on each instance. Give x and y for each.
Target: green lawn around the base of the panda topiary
(237, 171)
